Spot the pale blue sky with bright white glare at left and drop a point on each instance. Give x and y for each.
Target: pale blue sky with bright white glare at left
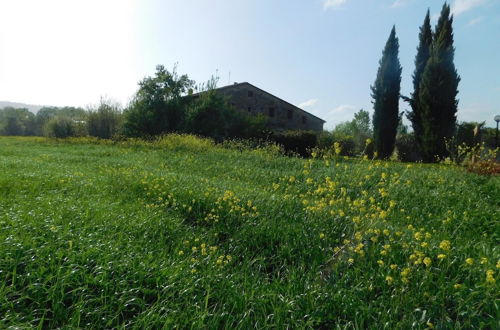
(319, 54)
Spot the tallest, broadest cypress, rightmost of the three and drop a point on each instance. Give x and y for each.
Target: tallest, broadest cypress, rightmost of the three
(438, 90)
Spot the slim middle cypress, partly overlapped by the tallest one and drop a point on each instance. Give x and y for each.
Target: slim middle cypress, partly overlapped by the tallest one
(423, 54)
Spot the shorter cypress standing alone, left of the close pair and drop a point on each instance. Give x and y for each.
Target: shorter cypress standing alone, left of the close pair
(385, 94)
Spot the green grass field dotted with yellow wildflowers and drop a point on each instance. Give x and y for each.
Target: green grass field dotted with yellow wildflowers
(182, 233)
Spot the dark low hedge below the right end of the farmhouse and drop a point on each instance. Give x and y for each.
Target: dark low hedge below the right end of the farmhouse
(296, 142)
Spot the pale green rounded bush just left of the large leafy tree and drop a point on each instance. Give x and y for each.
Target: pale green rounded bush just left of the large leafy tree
(105, 121)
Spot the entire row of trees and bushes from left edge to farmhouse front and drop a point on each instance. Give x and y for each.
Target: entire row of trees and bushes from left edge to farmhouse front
(165, 103)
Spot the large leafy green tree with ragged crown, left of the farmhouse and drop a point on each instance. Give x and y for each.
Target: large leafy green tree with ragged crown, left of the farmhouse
(158, 106)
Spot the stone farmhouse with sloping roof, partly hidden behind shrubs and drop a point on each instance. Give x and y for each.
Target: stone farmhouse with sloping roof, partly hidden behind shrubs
(282, 115)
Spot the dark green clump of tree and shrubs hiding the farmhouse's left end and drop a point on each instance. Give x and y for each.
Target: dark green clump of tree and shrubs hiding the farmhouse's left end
(167, 103)
